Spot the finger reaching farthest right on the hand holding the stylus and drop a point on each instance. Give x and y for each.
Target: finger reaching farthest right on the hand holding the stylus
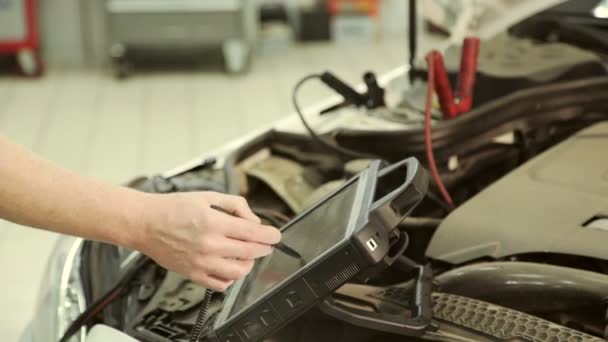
(243, 230)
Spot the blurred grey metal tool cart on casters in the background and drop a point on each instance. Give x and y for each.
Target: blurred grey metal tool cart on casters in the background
(170, 25)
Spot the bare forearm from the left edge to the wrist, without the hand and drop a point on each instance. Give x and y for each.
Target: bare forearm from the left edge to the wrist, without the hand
(38, 193)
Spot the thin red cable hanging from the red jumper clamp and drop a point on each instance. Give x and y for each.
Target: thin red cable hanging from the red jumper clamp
(428, 143)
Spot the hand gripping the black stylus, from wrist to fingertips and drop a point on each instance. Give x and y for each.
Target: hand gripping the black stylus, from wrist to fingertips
(184, 234)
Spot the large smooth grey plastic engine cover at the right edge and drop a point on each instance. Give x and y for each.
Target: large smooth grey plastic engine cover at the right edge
(545, 206)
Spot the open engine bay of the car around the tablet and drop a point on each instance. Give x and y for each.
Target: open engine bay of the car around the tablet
(528, 157)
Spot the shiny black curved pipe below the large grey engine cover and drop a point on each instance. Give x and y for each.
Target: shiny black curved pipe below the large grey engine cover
(562, 294)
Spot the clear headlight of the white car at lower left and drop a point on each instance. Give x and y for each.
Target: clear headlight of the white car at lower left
(61, 297)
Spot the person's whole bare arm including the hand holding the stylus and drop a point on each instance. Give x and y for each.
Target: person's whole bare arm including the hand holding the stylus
(181, 232)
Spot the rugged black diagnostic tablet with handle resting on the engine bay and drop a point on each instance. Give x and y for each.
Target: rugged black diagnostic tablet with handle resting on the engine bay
(341, 237)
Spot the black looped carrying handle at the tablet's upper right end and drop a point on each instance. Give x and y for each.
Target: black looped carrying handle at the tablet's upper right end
(398, 203)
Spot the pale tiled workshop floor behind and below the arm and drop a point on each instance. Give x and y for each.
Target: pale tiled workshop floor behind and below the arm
(114, 130)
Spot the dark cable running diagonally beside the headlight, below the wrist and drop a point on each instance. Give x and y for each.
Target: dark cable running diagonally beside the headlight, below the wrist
(121, 288)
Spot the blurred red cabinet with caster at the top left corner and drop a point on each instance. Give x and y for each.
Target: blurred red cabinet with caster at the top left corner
(19, 34)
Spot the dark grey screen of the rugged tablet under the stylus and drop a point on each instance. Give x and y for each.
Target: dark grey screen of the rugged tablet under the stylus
(311, 236)
